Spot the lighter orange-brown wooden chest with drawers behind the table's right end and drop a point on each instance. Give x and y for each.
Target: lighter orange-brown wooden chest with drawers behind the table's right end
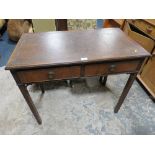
(143, 32)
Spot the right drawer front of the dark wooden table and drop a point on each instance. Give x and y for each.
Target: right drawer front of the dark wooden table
(111, 68)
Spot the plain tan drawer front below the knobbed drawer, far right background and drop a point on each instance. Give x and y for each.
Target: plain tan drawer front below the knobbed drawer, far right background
(144, 41)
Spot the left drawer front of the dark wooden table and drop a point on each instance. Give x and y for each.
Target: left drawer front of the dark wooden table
(40, 75)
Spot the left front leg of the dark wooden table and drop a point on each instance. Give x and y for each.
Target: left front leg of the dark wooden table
(30, 103)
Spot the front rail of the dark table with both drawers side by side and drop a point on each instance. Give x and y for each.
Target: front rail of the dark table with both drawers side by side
(77, 71)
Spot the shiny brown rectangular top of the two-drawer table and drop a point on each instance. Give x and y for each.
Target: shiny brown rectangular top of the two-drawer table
(59, 48)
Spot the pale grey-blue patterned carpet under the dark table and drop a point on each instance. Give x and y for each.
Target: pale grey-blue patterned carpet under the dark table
(87, 108)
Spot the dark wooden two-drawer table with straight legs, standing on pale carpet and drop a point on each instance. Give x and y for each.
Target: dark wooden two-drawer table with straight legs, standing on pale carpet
(60, 55)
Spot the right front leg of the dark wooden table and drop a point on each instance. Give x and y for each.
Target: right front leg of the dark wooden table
(125, 91)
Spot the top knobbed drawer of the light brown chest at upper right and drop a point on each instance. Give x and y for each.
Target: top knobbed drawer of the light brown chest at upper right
(145, 27)
